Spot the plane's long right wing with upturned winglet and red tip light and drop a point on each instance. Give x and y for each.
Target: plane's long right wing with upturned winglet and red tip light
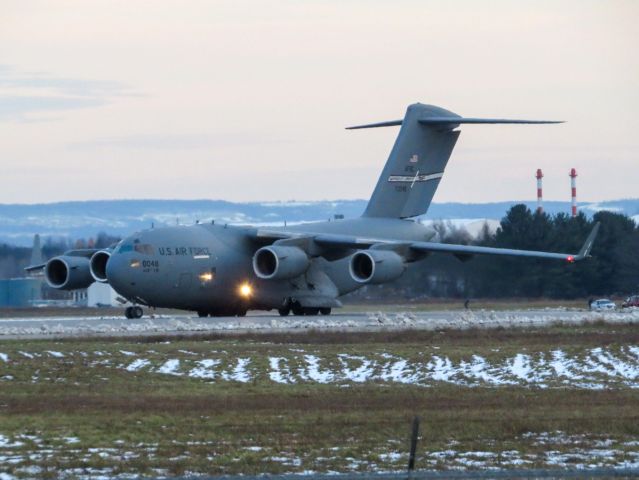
(345, 241)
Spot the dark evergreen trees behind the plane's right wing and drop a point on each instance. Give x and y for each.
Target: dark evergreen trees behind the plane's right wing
(613, 269)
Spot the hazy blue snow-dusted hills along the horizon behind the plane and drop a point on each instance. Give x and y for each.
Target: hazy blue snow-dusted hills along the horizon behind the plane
(18, 223)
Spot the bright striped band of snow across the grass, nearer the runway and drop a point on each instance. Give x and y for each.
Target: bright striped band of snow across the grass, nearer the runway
(592, 369)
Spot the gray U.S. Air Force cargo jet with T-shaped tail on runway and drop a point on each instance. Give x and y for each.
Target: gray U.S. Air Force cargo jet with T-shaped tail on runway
(304, 269)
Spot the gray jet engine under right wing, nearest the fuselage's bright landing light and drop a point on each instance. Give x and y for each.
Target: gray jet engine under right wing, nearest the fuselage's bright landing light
(280, 262)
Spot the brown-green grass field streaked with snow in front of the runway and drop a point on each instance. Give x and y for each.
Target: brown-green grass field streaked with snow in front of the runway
(325, 402)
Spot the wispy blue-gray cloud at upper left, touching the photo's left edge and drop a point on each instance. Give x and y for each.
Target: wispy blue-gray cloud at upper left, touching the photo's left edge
(51, 94)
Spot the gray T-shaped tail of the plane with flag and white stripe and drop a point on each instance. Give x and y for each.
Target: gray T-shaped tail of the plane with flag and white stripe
(417, 161)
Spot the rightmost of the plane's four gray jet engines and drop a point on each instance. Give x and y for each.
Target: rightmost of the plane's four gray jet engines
(376, 266)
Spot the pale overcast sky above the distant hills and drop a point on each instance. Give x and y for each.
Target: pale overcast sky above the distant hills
(247, 101)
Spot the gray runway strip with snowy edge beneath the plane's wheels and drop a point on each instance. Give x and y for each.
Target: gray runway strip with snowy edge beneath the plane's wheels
(74, 326)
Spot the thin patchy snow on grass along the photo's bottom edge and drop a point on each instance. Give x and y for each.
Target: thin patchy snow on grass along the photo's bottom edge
(541, 449)
